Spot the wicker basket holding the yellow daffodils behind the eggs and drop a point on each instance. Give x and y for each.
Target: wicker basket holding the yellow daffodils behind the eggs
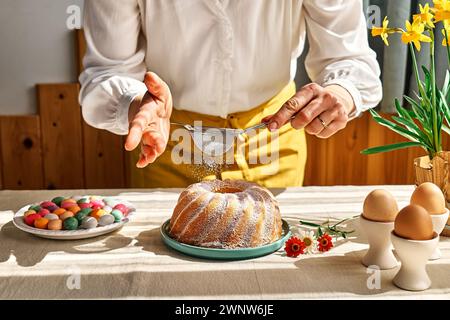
(436, 171)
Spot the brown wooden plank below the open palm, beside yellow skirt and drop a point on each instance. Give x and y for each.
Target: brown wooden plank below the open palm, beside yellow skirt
(104, 159)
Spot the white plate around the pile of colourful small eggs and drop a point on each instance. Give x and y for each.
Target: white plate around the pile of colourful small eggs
(71, 234)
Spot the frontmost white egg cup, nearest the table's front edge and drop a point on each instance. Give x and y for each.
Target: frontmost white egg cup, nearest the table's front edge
(414, 256)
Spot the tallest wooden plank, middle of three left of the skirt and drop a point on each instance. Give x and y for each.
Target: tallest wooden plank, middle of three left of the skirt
(61, 136)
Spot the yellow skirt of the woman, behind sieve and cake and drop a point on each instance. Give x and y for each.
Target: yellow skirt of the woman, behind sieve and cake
(273, 160)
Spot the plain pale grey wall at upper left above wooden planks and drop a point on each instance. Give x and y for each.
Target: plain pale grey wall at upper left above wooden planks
(35, 47)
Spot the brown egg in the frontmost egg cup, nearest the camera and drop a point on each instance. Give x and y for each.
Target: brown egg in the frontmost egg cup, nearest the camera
(414, 223)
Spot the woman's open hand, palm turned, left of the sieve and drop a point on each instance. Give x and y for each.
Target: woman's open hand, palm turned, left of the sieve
(150, 121)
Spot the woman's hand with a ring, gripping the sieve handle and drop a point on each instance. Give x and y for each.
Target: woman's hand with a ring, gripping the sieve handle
(321, 111)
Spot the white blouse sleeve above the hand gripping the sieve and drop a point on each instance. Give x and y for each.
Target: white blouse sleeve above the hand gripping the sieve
(339, 50)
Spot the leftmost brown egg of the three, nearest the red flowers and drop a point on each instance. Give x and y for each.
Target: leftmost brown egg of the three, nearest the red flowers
(380, 206)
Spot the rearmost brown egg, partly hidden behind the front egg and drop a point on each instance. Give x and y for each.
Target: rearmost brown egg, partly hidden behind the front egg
(429, 196)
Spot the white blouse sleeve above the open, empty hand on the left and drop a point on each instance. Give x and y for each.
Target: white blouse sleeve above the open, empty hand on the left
(114, 63)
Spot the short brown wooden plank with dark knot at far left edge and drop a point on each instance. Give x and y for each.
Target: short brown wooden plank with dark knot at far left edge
(21, 152)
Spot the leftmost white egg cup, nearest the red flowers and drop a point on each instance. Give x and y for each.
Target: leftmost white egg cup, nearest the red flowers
(380, 246)
